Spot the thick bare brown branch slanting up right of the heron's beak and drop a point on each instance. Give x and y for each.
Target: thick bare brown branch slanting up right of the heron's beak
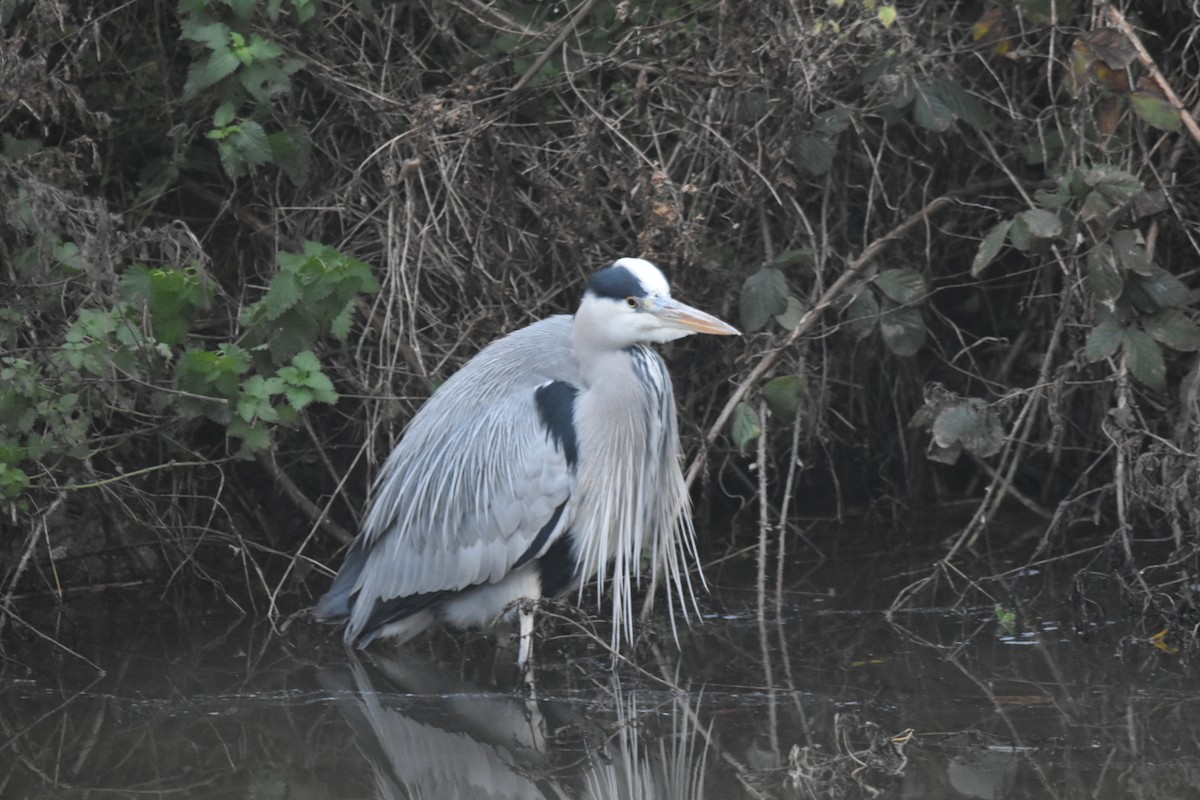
(832, 294)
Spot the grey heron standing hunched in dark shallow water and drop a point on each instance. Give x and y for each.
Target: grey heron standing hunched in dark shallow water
(550, 459)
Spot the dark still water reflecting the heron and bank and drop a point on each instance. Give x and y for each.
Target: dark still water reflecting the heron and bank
(1016, 696)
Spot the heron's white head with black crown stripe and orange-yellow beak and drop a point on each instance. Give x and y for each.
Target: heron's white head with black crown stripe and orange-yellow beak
(629, 303)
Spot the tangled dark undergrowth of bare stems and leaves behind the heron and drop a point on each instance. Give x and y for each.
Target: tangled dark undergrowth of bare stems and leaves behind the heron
(242, 242)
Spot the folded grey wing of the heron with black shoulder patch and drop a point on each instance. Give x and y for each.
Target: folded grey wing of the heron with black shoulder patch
(481, 472)
